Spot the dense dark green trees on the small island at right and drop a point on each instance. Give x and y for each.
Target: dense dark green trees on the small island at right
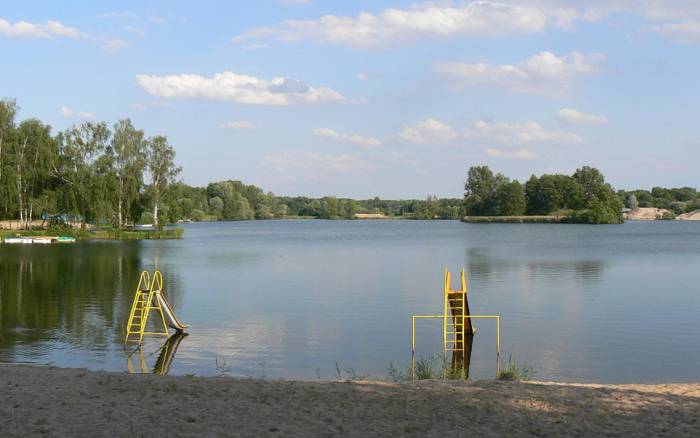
(582, 197)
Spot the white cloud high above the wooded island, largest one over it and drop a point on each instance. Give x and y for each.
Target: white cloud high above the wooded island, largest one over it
(542, 73)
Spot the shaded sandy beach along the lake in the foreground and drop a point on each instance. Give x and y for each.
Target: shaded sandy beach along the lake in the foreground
(44, 401)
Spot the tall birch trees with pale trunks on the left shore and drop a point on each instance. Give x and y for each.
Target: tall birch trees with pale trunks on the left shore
(89, 172)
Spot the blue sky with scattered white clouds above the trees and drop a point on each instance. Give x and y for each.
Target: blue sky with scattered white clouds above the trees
(382, 98)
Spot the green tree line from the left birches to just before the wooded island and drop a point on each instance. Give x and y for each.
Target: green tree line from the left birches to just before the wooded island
(117, 176)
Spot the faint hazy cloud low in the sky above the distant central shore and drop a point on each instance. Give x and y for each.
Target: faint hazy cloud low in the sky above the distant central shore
(311, 166)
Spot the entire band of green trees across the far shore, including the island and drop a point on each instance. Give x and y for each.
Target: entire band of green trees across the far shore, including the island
(113, 177)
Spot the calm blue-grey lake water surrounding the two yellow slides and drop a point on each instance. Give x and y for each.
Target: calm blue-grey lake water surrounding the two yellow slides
(618, 303)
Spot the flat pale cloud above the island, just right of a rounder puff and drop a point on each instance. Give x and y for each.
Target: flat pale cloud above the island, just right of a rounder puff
(518, 133)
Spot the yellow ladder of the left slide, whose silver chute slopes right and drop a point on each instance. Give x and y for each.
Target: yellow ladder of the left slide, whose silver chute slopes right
(144, 303)
